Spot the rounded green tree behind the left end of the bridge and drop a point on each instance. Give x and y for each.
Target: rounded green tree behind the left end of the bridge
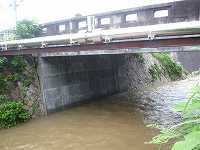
(27, 29)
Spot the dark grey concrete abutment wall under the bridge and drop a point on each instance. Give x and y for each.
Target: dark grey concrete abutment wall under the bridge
(69, 80)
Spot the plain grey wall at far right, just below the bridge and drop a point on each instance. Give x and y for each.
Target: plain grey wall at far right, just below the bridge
(189, 60)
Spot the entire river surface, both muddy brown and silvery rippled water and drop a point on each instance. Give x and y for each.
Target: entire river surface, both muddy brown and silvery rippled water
(112, 123)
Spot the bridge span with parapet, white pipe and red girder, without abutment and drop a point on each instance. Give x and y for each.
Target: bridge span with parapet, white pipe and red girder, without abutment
(172, 26)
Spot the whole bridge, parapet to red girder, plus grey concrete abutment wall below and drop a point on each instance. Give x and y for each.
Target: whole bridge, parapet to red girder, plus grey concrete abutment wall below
(68, 77)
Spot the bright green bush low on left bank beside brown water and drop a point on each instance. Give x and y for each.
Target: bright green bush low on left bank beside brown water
(12, 113)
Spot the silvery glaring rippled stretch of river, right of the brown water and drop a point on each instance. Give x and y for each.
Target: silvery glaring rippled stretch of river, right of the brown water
(157, 102)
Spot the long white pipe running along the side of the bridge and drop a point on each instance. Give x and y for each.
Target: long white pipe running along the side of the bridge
(151, 32)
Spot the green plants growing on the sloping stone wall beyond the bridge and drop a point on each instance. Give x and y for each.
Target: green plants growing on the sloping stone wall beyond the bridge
(167, 67)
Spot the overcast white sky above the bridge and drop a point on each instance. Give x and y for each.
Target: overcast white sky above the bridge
(50, 10)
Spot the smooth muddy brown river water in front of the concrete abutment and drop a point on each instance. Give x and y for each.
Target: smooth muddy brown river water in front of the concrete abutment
(108, 124)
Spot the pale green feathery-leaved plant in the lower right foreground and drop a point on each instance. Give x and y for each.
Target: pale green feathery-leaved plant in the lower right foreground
(186, 133)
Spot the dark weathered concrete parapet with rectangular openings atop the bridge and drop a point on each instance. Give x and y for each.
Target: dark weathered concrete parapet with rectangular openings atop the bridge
(180, 11)
